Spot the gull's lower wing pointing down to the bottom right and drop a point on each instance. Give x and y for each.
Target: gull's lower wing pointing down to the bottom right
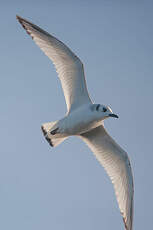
(117, 165)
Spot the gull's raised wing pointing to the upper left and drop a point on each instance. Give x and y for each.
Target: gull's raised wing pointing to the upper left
(68, 65)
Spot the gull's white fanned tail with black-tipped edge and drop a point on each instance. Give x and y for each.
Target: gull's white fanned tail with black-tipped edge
(49, 130)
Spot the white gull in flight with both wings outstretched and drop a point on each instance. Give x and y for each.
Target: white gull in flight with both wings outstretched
(85, 119)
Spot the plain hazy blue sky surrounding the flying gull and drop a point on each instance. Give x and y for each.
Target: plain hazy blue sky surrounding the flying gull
(65, 188)
